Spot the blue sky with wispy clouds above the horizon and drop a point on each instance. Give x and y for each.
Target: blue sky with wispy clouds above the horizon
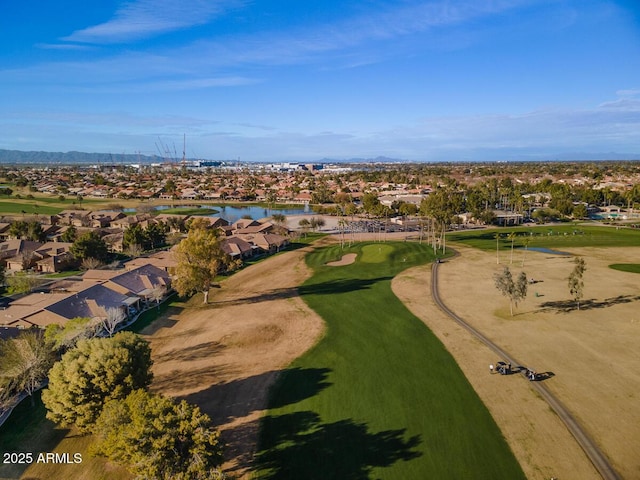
(285, 81)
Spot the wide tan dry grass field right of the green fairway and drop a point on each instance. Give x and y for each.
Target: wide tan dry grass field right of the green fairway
(591, 353)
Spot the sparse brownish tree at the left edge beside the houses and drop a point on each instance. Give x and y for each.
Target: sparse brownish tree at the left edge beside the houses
(25, 361)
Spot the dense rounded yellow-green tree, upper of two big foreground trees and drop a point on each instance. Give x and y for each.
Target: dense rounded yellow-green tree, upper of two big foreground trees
(97, 370)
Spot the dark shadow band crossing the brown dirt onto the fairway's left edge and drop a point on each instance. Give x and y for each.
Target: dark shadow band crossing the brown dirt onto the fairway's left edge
(239, 398)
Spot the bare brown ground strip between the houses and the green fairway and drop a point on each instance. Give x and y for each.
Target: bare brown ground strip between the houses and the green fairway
(225, 356)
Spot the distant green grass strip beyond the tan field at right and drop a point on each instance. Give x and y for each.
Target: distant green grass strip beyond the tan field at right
(550, 236)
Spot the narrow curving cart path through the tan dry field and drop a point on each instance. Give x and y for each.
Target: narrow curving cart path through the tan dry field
(599, 460)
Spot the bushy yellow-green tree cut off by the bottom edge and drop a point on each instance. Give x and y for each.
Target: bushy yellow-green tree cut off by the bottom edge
(156, 438)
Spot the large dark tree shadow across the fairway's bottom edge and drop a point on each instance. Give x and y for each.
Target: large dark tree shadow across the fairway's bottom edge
(298, 446)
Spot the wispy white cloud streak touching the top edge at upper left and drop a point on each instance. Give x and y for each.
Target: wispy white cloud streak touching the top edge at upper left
(145, 18)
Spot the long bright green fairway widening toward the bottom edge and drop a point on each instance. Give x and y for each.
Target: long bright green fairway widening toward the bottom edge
(378, 396)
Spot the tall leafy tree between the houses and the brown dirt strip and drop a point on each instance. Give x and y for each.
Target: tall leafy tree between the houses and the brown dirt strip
(200, 258)
